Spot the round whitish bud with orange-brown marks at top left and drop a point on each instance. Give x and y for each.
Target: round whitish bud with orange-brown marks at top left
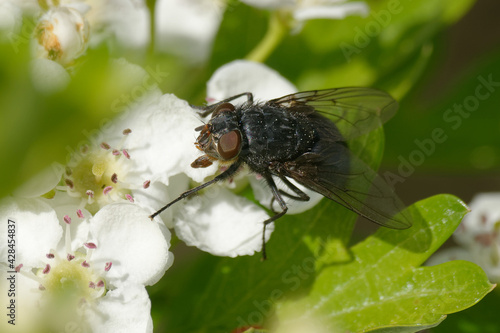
(61, 35)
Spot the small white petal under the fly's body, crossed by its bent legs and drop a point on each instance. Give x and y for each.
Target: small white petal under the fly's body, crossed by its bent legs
(263, 194)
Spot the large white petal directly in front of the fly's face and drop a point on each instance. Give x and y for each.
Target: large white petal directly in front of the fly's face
(162, 139)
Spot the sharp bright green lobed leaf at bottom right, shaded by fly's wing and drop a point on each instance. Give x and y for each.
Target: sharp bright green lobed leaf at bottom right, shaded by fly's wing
(383, 286)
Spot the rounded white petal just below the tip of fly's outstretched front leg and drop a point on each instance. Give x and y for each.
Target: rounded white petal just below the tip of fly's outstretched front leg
(134, 244)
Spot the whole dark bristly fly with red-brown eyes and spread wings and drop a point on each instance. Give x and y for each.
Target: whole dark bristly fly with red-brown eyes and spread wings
(302, 136)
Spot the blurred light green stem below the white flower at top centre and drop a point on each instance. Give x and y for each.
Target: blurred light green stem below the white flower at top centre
(276, 31)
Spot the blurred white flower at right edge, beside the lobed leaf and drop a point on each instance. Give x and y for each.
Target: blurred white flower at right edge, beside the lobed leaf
(479, 236)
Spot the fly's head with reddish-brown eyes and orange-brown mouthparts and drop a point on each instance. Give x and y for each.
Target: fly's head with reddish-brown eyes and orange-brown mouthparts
(220, 138)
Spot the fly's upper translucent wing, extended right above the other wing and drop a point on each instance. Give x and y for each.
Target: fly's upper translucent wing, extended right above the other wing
(355, 111)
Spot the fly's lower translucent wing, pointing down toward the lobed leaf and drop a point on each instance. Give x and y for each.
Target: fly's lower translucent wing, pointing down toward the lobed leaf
(333, 171)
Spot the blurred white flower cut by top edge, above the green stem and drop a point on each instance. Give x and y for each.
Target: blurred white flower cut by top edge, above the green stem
(303, 10)
